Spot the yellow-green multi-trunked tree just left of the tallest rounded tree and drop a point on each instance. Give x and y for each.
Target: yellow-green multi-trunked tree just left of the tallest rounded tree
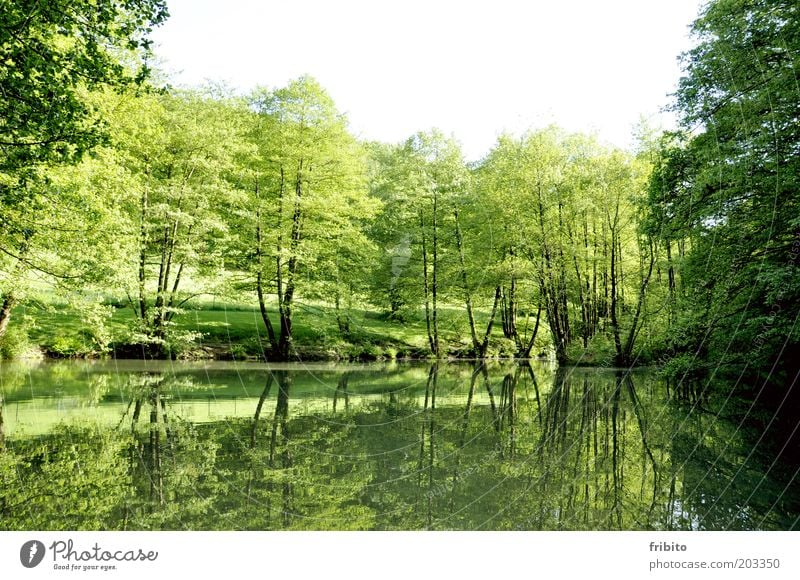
(178, 150)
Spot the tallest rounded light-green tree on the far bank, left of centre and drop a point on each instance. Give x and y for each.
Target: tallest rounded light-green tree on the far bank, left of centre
(308, 204)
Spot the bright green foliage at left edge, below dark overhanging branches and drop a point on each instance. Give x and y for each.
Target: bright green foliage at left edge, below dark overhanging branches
(61, 228)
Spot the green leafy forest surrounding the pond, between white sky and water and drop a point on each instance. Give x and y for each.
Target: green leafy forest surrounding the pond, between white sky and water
(141, 220)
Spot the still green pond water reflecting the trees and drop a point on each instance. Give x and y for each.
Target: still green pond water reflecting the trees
(162, 445)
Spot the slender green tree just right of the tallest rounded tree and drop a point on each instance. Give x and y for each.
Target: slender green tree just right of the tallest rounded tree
(424, 183)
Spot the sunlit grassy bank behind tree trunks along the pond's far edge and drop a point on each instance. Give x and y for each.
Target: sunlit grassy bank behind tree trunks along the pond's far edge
(236, 331)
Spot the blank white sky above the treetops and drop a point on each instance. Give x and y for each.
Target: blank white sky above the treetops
(471, 69)
